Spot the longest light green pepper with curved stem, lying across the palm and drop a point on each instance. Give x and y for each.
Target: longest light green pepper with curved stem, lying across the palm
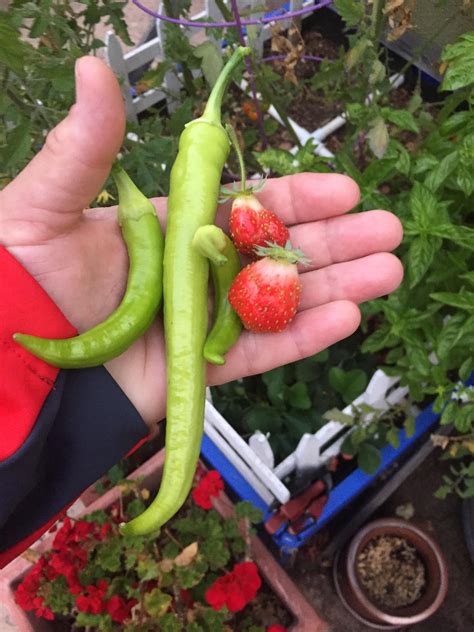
(194, 190)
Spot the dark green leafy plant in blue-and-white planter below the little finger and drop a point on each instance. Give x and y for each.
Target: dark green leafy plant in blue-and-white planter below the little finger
(289, 401)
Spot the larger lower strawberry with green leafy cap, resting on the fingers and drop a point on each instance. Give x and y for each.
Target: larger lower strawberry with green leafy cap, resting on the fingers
(266, 293)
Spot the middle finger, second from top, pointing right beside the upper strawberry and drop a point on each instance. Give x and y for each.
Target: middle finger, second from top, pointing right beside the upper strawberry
(347, 237)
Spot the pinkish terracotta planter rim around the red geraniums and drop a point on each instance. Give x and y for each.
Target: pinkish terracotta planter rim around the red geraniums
(305, 618)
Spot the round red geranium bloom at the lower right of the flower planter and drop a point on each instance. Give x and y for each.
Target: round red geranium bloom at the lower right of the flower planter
(234, 589)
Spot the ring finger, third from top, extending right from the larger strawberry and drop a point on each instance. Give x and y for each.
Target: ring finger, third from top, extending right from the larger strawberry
(358, 281)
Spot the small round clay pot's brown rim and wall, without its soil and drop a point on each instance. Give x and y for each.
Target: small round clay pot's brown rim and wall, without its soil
(356, 599)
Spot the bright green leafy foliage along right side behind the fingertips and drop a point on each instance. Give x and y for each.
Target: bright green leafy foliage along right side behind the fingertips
(416, 162)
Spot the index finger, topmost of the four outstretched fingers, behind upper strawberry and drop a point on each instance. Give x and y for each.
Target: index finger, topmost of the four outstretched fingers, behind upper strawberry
(305, 197)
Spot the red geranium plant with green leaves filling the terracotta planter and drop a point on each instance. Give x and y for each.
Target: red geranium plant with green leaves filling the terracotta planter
(195, 576)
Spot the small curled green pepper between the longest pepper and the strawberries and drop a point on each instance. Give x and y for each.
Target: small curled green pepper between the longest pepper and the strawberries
(224, 259)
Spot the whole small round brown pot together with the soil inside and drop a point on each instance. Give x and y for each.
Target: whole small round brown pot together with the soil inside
(392, 574)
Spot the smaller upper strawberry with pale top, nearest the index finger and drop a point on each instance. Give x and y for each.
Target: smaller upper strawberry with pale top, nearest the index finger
(253, 225)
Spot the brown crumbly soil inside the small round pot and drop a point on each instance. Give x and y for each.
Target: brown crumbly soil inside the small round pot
(391, 572)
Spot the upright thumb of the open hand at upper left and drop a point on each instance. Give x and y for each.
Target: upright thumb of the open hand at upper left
(69, 171)
